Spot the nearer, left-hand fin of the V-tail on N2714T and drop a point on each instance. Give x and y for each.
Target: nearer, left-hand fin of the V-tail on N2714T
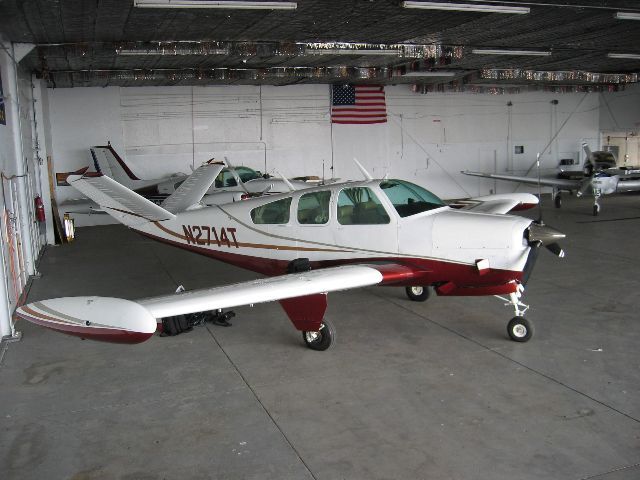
(123, 204)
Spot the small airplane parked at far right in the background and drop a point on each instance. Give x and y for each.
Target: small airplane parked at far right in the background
(600, 176)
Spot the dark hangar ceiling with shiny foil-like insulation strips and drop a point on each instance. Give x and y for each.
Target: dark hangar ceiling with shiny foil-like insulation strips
(111, 42)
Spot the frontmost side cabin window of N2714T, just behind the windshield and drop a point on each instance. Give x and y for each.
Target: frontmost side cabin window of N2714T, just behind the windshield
(360, 206)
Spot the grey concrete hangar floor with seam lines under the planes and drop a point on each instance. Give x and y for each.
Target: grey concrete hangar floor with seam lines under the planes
(409, 391)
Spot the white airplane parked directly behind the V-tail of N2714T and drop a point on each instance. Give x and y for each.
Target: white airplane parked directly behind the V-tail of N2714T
(231, 185)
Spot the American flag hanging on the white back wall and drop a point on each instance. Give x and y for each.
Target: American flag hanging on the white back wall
(358, 104)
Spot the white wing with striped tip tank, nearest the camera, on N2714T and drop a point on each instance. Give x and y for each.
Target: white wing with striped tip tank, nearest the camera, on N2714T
(126, 321)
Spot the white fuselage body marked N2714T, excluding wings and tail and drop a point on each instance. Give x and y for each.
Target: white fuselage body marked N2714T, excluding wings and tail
(426, 240)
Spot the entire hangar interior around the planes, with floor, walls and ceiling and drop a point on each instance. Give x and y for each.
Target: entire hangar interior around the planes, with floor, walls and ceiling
(431, 390)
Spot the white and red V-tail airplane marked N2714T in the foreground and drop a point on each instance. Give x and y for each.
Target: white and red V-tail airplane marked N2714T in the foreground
(311, 242)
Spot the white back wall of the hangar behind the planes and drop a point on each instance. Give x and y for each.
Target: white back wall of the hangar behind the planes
(428, 138)
